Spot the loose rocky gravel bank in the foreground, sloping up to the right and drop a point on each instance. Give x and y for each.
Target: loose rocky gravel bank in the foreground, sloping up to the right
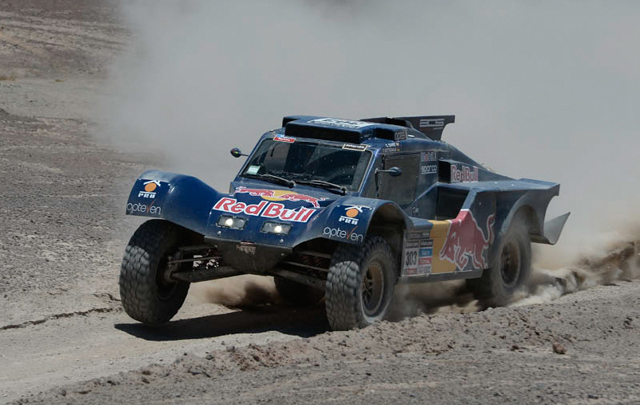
(582, 348)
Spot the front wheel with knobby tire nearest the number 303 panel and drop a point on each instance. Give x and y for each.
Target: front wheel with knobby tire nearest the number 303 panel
(360, 284)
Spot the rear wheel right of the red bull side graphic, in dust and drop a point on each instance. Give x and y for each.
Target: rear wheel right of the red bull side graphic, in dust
(510, 268)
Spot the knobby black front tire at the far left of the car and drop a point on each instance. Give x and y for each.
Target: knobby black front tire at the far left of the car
(146, 294)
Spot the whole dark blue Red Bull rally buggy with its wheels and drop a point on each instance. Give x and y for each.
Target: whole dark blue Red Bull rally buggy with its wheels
(342, 210)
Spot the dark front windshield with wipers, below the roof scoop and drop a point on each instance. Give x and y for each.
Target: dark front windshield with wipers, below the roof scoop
(307, 161)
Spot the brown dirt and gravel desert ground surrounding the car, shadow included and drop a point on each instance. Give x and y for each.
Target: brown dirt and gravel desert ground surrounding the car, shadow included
(65, 339)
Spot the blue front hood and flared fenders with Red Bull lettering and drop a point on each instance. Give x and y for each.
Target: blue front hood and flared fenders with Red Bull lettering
(305, 212)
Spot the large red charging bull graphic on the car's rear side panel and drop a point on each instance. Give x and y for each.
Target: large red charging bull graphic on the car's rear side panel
(466, 242)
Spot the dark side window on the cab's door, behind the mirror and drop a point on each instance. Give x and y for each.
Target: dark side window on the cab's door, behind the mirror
(401, 189)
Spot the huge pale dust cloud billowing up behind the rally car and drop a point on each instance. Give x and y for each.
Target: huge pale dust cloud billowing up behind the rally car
(543, 89)
